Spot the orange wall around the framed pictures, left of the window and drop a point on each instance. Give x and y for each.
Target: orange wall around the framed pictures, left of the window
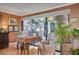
(5, 22)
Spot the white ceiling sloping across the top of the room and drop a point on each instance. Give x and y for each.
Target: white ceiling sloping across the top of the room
(21, 9)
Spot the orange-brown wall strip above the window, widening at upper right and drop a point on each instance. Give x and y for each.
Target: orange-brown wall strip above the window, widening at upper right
(74, 11)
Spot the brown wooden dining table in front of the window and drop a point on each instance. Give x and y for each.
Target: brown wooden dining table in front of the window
(28, 41)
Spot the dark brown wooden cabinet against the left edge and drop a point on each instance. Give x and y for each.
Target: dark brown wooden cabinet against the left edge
(4, 40)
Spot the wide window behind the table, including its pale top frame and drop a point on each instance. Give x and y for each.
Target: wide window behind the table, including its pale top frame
(44, 25)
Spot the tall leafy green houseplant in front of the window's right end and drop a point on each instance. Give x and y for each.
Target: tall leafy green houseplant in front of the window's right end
(63, 35)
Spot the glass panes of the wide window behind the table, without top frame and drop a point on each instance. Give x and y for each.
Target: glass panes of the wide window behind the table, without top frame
(42, 26)
